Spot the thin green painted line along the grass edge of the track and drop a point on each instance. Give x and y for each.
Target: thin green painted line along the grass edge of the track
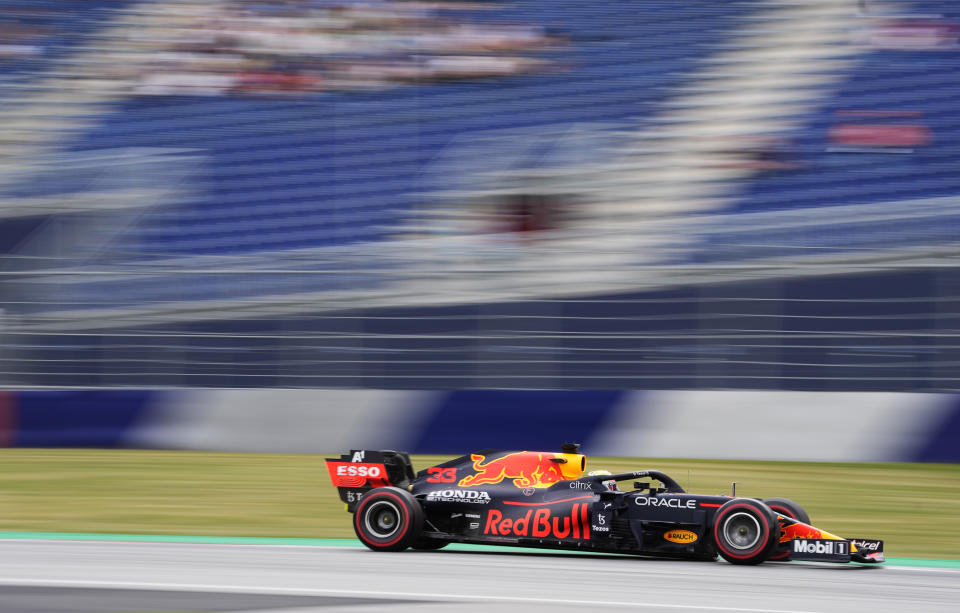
(253, 540)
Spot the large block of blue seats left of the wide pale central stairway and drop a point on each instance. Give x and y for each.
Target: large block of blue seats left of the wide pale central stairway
(341, 168)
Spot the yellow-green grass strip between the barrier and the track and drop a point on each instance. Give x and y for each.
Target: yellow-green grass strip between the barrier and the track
(913, 507)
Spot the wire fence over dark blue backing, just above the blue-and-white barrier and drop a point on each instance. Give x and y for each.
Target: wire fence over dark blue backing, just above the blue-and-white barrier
(831, 326)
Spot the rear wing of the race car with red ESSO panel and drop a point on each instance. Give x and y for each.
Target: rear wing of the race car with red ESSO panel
(361, 470)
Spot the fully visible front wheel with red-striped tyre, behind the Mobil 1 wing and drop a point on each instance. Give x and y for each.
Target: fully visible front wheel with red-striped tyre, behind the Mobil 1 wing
(745, 531)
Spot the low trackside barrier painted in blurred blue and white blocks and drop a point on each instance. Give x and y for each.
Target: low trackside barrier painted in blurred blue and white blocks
(762, 425)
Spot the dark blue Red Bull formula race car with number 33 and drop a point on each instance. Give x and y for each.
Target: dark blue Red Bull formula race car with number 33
(543, 499)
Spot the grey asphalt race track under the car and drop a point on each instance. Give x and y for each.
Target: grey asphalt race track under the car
(132, 577)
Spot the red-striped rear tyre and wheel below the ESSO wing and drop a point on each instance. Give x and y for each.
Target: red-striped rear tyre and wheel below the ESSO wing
(388, 519)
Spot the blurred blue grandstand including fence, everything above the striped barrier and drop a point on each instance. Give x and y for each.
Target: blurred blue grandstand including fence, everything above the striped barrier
(400, 194)
